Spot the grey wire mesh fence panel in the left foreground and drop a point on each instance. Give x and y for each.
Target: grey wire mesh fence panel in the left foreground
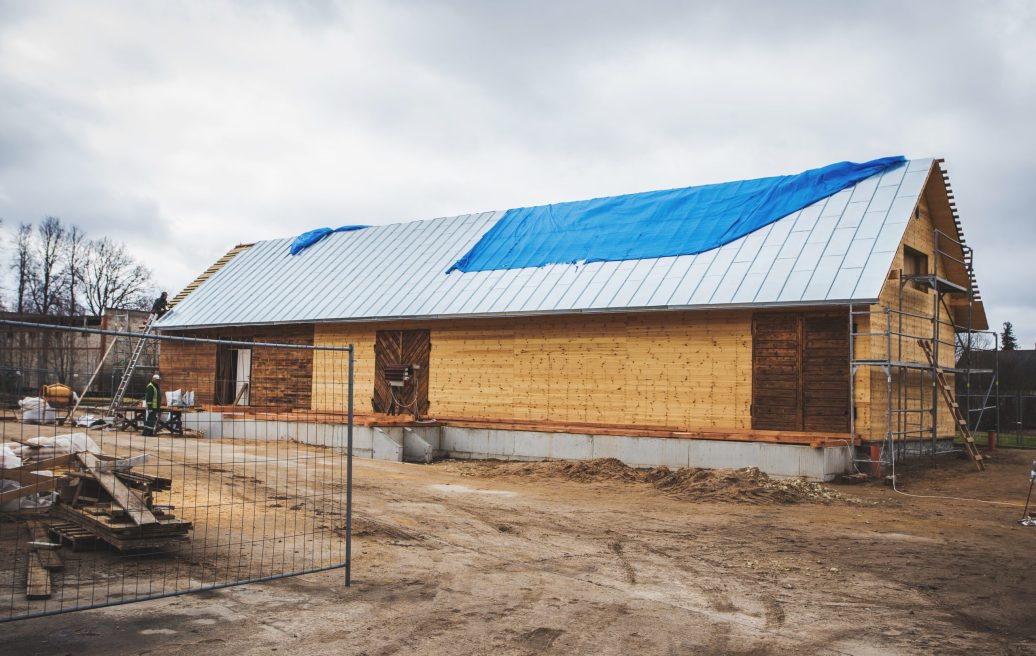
(243, 473)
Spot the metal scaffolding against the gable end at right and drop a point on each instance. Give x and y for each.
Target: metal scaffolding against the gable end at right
(909, 348)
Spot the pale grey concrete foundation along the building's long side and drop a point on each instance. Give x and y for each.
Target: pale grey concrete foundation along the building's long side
(422, 444)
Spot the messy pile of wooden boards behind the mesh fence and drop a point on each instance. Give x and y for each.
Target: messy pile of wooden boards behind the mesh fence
(99, 498)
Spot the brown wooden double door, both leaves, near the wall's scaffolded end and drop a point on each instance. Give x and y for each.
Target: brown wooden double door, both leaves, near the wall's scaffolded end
(800, 373)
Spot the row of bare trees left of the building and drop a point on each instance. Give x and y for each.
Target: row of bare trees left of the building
(59, 271)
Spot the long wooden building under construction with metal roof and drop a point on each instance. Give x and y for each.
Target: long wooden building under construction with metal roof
(789, 324)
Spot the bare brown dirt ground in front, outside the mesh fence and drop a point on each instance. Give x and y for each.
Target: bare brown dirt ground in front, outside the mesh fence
(470, 558)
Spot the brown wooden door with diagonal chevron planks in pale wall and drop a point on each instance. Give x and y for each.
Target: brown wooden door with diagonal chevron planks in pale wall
(401, 348)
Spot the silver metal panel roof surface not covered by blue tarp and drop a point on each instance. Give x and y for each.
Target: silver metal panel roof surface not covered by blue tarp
(838, 250)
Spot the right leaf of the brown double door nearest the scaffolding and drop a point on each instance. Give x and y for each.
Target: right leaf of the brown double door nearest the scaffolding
(825, 375)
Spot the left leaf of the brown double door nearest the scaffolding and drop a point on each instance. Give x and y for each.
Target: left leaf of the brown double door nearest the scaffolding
(776, 373)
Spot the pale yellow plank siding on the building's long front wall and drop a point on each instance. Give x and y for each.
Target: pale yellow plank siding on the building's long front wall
(689, 370)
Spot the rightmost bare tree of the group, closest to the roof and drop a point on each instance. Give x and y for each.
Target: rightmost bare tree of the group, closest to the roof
(113, 279)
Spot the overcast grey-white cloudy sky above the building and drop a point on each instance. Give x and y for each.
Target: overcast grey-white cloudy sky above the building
(186, 128)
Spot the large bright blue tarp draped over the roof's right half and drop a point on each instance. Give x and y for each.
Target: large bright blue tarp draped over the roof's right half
(656, 224)
